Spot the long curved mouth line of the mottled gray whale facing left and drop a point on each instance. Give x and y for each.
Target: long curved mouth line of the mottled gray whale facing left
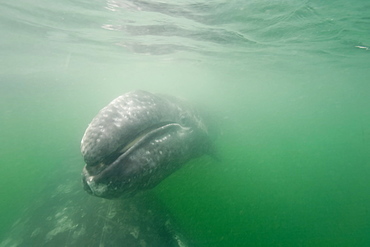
(144, 136)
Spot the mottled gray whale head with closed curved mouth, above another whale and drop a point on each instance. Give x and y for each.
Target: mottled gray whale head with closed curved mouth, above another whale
(138, 140)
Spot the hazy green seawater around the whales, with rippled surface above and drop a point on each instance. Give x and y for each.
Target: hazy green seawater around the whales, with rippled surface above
(288, 80)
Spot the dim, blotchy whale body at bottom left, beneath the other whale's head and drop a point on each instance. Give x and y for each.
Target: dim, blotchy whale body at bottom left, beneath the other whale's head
(63, 215)
